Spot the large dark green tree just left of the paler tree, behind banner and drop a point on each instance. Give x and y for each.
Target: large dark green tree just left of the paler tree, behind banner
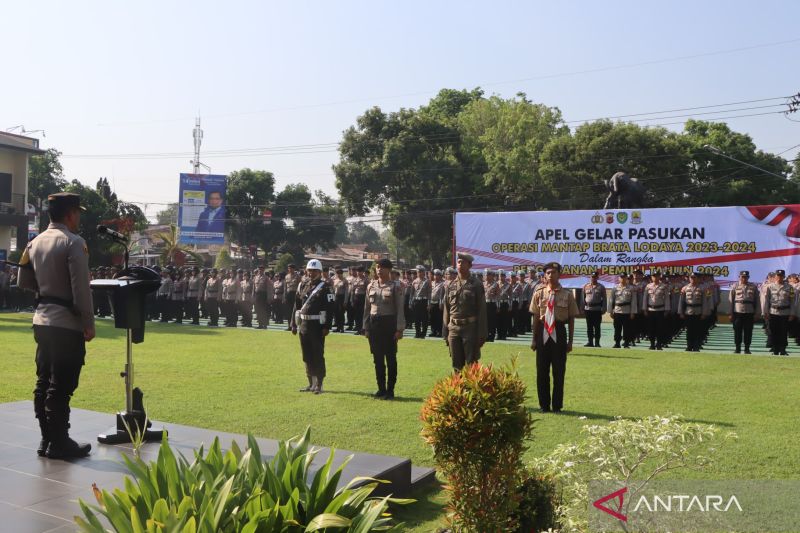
(412, 167)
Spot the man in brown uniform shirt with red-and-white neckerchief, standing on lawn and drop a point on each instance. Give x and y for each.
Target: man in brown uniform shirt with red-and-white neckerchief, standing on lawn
(554, 310)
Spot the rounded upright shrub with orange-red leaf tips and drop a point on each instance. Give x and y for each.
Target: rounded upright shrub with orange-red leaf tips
(477, 424)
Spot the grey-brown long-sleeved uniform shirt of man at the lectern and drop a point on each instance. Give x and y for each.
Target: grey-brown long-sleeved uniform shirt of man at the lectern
(60, 261)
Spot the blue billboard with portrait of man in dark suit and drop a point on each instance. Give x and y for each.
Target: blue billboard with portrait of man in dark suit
(201, 209)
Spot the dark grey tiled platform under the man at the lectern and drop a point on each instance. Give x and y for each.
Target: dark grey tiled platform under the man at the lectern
(39, 495)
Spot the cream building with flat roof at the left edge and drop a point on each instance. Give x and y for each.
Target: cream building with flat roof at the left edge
(14, 153)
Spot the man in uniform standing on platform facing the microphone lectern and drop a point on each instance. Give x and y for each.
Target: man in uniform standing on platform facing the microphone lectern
(56, 266)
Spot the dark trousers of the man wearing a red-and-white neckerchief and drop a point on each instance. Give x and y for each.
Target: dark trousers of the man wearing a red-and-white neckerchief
(551, 354)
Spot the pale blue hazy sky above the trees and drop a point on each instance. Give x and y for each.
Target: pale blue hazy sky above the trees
(106, 77)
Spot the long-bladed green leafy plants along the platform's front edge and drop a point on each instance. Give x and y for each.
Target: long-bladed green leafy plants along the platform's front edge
(237, 491)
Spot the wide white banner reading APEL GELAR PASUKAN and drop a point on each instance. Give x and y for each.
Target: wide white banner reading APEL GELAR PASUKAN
(721, 241)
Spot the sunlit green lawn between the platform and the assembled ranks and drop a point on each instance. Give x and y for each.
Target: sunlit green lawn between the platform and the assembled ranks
(246, 381)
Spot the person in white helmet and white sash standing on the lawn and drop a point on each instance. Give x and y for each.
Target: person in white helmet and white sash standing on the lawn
(312, 317)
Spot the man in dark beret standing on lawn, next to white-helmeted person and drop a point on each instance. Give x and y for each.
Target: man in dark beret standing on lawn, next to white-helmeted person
(384, 322)
